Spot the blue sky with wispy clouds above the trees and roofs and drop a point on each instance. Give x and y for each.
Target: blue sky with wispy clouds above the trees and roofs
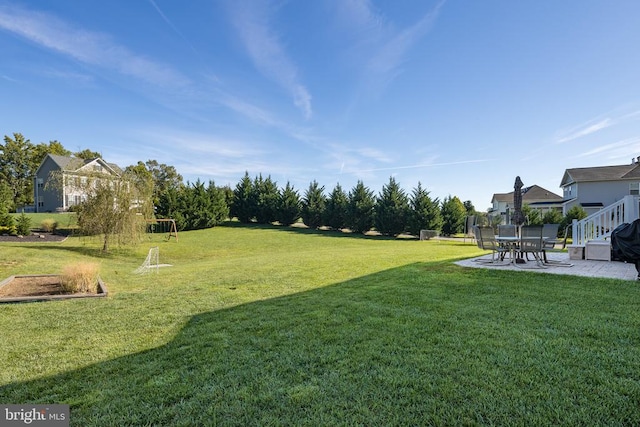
(461, 96)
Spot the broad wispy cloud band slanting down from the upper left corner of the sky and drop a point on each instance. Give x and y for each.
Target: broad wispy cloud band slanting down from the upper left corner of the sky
(86, 46)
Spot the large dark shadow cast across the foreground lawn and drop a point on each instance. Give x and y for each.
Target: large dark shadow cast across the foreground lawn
(420, 344)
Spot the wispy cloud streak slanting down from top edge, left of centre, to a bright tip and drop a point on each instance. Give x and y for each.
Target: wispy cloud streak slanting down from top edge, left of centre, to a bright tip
(252, 21)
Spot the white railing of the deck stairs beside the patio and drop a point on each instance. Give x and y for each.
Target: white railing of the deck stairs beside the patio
(599, 225)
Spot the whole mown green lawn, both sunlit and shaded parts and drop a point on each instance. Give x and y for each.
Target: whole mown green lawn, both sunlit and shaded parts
(272, 326)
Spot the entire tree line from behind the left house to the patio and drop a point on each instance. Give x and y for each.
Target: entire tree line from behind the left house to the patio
(260, 200)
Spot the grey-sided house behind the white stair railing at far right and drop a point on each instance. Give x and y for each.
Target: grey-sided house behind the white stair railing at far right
(598, 187)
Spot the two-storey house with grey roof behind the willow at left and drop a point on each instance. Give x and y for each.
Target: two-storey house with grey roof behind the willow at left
(52, 197)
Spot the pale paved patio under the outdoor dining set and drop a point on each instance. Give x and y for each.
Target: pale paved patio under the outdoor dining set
(589, 268)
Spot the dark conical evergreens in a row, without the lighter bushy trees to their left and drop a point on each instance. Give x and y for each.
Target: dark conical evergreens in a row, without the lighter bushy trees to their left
(391, 212)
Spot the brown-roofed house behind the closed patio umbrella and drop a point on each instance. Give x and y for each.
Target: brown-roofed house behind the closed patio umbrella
(535, 196)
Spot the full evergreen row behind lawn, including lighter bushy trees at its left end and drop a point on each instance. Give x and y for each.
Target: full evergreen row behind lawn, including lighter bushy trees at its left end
(260, 200)
